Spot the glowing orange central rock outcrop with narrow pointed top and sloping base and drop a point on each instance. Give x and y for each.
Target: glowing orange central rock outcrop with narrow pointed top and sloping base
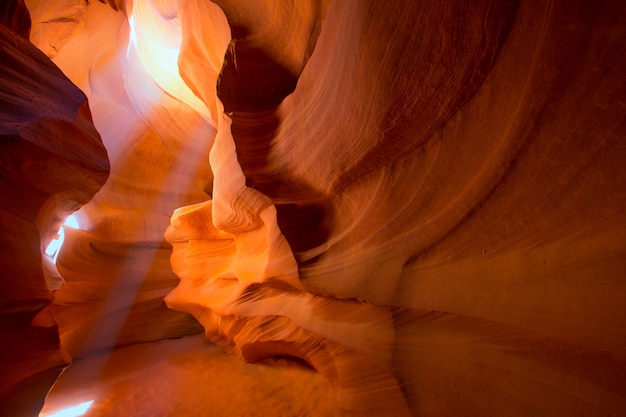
(240, 280)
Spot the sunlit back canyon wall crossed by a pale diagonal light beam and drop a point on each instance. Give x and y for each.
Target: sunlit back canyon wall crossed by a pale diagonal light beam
(158, 135)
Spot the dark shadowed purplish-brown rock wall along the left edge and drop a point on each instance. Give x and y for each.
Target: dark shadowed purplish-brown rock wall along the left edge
(52, 161)
